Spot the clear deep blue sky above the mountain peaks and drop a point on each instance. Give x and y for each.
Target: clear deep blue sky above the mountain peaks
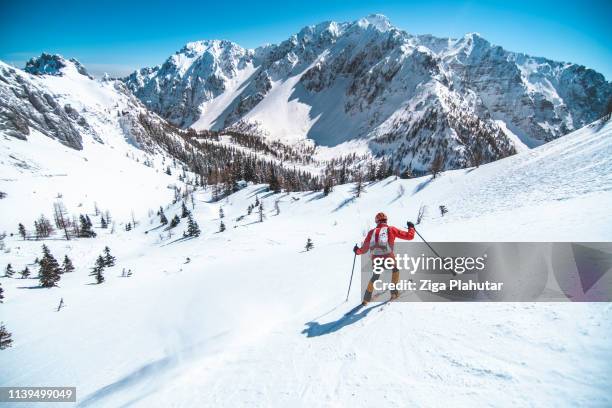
(116, 37)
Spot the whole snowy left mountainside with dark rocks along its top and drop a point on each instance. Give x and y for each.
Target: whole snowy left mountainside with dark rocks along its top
(65, 135)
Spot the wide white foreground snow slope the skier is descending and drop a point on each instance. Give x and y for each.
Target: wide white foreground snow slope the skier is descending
(253, 320)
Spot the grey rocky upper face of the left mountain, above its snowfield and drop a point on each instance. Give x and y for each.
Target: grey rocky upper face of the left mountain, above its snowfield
(57, 97)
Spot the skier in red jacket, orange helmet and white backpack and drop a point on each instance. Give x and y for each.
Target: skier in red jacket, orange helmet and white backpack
(379, 242)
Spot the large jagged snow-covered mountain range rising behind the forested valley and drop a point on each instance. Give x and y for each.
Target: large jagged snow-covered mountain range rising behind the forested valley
(407, 96)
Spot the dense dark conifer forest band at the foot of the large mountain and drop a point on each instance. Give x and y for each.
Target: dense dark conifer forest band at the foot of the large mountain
(224, 166)
